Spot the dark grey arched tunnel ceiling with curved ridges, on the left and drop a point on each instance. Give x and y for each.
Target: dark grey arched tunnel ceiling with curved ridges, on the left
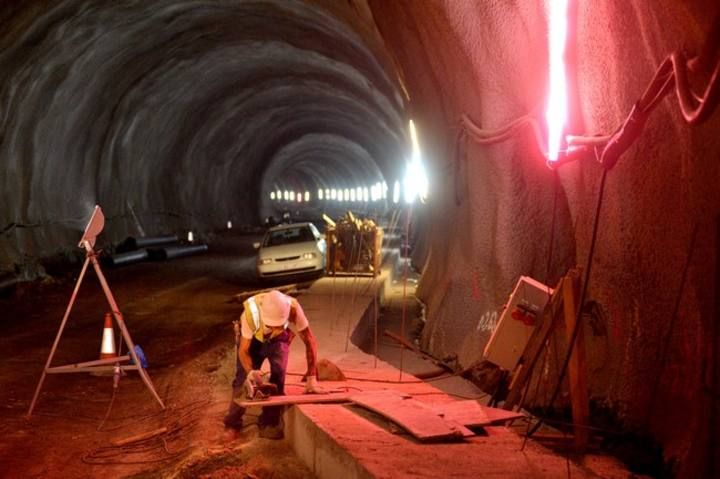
(180, 108)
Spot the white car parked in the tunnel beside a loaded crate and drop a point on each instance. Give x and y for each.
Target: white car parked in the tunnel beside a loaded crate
(291, 249)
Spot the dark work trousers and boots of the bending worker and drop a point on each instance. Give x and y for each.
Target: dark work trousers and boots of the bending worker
(276, 352)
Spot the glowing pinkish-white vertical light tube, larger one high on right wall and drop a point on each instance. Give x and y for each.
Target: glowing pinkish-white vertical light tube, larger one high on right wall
(556, 112)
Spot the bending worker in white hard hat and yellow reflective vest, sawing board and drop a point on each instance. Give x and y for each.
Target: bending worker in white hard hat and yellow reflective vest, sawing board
(265, 329)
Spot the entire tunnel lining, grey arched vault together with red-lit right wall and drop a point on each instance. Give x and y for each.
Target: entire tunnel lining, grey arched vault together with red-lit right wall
(179, 116)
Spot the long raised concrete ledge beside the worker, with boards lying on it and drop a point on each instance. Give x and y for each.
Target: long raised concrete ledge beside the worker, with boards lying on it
(336, 441)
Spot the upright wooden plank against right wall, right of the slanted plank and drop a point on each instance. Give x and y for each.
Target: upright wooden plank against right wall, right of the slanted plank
(577, 375)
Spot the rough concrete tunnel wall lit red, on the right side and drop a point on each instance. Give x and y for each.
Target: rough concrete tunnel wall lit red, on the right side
(492, 206)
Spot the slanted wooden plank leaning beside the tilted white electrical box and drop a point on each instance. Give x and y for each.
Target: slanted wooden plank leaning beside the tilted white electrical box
(533, 348)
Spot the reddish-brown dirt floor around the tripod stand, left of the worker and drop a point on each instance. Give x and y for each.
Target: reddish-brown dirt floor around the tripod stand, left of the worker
(180, 313)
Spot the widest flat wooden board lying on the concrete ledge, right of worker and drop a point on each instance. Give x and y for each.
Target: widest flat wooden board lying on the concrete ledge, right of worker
(413, 416)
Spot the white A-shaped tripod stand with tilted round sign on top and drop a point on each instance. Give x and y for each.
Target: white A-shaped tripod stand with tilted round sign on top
(93, 228)
